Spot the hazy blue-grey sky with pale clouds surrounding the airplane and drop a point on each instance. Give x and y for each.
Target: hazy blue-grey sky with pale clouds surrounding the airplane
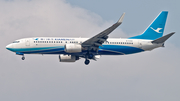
(147, 76)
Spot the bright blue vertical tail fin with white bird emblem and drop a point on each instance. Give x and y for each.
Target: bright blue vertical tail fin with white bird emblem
(155, 29)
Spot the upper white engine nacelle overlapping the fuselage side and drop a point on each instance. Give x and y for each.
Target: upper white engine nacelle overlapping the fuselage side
(73, 48)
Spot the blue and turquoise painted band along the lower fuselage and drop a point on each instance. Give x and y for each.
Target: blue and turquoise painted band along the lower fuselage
(105, 50)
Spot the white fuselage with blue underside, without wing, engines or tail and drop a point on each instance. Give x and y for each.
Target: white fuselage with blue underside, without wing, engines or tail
(49, 45)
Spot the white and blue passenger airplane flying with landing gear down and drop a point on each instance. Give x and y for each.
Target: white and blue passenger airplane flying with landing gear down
(72, 49)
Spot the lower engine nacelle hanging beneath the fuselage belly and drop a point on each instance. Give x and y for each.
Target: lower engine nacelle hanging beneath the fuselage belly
(68, 58)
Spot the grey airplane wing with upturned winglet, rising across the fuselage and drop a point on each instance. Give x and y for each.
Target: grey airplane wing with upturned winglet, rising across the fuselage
(99, 39)
